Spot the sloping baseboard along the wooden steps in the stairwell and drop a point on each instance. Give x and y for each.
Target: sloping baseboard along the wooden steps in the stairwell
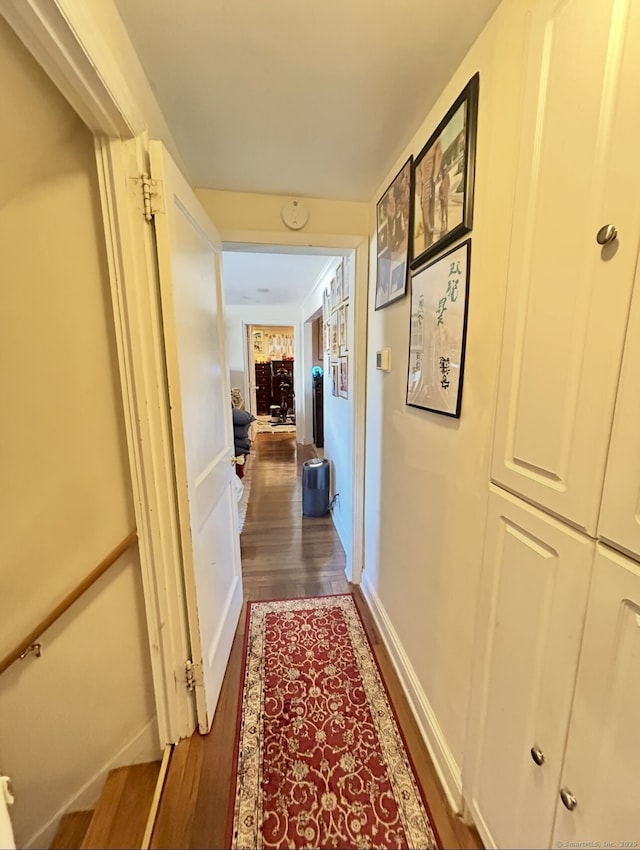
(141, 748)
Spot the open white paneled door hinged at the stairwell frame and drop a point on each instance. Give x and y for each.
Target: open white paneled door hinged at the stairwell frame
(189, 250)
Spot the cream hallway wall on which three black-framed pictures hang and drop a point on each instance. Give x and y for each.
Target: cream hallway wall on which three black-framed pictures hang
(426, 474)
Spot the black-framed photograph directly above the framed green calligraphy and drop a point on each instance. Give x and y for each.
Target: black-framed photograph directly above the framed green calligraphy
(443, 179)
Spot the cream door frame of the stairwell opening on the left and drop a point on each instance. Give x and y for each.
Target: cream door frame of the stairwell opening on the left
(67, 43)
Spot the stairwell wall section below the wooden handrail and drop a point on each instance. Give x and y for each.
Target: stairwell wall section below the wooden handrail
(84, 707)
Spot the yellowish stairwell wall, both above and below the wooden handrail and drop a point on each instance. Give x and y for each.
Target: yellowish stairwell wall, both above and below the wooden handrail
(66, 498)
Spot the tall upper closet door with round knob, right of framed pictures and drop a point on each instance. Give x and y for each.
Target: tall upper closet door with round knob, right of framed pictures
(568, 297)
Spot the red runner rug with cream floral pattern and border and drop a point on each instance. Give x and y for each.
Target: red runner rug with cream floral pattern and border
(321, 762)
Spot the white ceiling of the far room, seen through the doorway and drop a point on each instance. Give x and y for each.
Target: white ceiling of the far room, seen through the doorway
(287, 278)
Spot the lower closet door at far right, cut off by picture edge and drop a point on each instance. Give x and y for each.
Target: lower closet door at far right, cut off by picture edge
(603, 750)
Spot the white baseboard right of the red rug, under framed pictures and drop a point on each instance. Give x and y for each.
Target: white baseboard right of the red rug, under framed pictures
(445, 764)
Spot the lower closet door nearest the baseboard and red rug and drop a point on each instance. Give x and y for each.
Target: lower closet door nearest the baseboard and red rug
(535, 578)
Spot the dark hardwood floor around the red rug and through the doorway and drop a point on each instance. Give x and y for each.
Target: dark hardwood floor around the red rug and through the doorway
(284, 555)
